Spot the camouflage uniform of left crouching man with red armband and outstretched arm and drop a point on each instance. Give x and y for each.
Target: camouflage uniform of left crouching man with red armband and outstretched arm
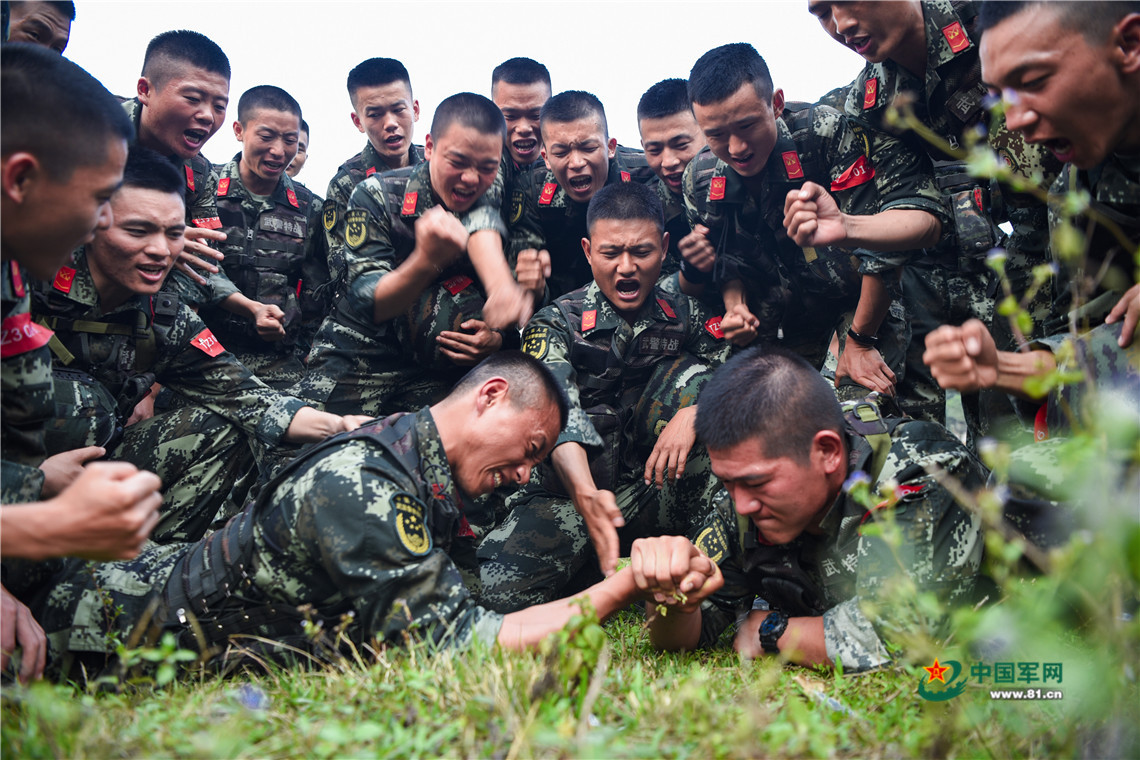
(107, 363)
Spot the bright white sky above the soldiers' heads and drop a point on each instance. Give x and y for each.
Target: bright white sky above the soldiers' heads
(615, 50)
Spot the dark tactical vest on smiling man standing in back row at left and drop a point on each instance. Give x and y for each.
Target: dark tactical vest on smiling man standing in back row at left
(265, 263)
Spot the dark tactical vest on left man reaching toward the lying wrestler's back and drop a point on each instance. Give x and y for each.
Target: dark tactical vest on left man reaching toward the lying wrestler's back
(102, 370)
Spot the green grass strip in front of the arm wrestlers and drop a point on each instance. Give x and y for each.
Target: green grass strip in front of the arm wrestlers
(623, 701)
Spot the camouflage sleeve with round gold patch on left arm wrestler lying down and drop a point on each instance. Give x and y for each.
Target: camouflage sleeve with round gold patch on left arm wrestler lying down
(378, 551)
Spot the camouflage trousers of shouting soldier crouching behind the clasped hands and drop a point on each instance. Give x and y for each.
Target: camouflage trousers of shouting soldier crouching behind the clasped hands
(542, 551)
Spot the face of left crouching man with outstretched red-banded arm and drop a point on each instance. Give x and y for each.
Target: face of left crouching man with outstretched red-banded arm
(136, 254)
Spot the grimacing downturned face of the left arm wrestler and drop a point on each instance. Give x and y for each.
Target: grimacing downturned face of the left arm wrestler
(507, 443)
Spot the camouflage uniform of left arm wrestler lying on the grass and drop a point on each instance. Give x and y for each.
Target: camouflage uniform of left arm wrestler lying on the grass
(365, 526)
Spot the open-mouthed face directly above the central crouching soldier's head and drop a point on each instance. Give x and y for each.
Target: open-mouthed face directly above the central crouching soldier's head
(580, 156)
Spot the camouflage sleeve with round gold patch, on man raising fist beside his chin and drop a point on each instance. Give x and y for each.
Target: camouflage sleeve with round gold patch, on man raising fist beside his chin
(369, 250)
